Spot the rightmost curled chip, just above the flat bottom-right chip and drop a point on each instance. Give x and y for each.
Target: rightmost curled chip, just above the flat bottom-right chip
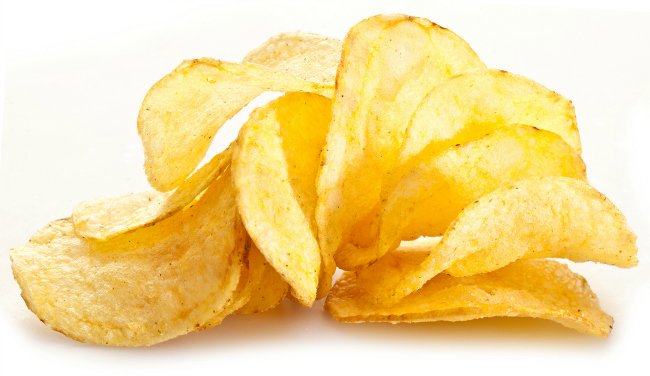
(532, 218)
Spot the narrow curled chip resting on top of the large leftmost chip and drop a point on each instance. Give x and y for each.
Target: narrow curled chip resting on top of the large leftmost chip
(108, 217)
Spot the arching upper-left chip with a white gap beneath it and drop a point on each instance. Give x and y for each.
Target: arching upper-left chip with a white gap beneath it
(182, 112)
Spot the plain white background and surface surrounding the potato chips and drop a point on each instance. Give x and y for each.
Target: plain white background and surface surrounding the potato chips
(74, 77)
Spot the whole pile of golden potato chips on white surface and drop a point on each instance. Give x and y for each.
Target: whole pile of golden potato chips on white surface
(440, 185)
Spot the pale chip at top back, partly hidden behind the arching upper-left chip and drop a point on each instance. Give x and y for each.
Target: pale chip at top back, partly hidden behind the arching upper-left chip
(308, 56)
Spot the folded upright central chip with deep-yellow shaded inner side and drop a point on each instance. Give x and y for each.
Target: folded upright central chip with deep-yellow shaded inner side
(274, 170)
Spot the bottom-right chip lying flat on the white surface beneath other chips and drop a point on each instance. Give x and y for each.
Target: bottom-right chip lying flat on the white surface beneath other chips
(542, 289)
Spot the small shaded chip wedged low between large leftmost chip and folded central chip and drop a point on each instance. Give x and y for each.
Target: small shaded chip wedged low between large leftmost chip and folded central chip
(267, 286)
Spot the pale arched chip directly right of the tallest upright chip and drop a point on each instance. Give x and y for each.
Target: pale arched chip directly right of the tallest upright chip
(470, 105)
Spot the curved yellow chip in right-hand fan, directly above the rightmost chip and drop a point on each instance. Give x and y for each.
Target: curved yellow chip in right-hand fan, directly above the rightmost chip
(433, 192)
